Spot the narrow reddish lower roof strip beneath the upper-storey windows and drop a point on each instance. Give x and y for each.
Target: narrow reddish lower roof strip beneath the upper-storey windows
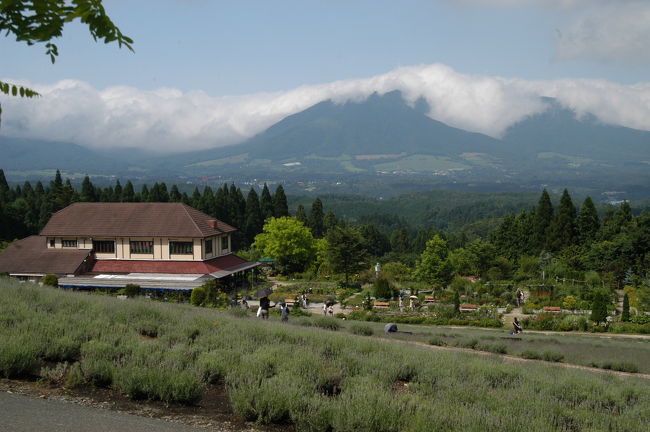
(176, 267)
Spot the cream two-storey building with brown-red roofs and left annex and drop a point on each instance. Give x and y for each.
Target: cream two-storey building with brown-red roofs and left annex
(160, 245)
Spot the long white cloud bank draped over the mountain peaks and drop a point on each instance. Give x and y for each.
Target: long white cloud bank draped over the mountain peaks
(169, 120)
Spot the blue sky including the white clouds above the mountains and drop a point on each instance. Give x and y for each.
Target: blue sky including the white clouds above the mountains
(212, 53)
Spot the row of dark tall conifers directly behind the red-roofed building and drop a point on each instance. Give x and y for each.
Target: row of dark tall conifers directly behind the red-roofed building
(25, 209)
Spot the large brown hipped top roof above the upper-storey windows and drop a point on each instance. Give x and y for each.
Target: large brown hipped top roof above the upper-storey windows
(133, 220)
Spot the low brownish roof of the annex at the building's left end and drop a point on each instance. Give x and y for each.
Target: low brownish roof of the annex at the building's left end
(31, 256)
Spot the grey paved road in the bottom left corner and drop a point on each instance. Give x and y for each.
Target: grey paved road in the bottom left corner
(19, 413)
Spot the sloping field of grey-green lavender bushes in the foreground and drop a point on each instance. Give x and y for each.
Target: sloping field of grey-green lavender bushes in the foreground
(309, 377)
